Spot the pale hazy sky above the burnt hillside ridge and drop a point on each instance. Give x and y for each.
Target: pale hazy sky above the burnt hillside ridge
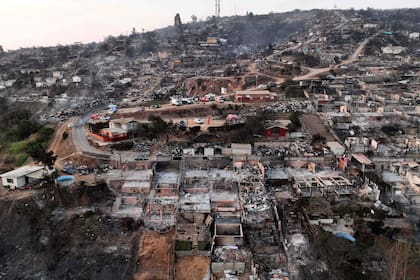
(25, 23)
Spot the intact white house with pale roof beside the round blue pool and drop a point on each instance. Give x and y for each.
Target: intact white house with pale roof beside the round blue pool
(22, 176)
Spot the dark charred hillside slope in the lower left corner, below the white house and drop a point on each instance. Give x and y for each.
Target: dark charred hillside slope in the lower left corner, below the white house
(66, 234)
